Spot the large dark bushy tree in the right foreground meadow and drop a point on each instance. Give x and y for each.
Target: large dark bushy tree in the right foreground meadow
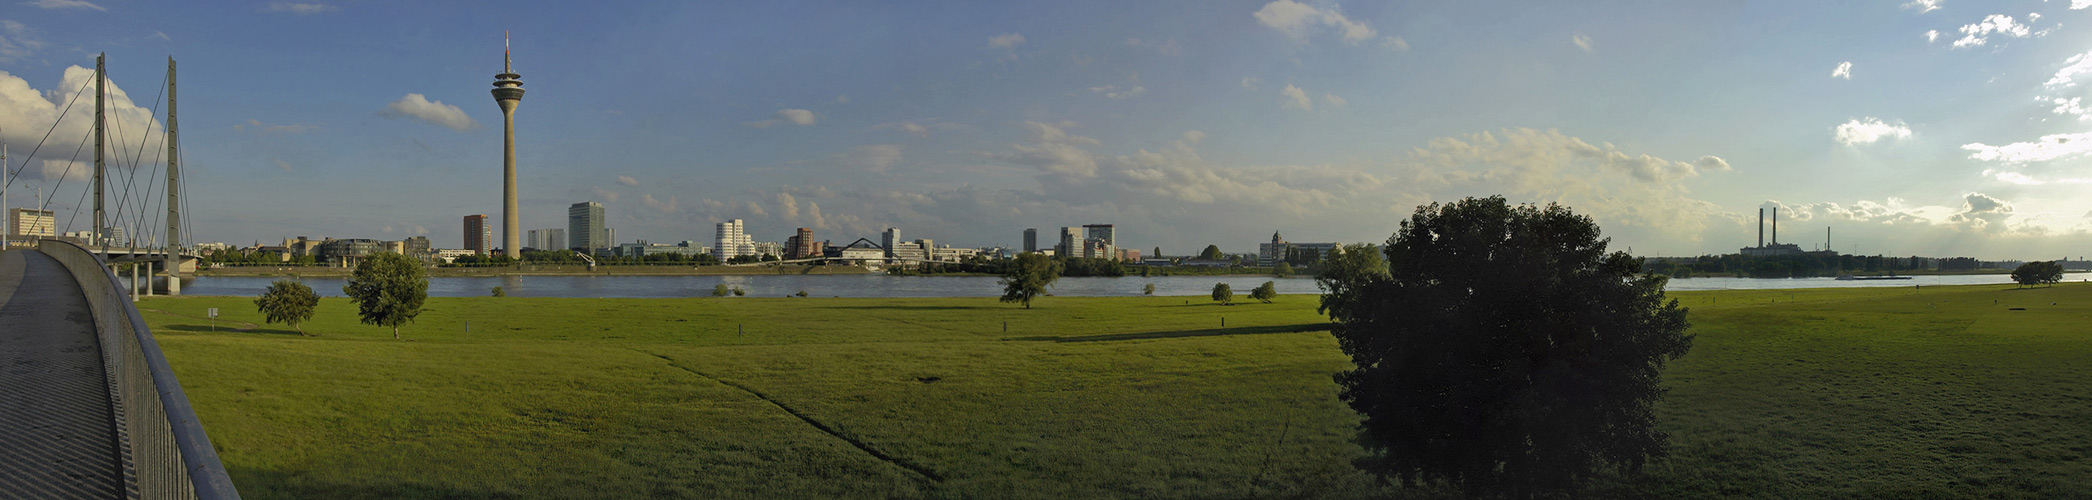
(1505, 350)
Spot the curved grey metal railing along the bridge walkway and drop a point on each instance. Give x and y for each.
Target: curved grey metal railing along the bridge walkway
(164, 449)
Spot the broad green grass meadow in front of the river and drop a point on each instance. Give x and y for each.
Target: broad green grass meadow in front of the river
(1788, 394)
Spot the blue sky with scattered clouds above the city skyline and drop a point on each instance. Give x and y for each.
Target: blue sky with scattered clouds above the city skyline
(1903, 129)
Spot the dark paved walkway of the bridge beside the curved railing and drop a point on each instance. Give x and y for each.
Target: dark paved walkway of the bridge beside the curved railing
(58, 430)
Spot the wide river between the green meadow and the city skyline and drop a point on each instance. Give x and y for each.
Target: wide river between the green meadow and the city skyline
(878, 286)
